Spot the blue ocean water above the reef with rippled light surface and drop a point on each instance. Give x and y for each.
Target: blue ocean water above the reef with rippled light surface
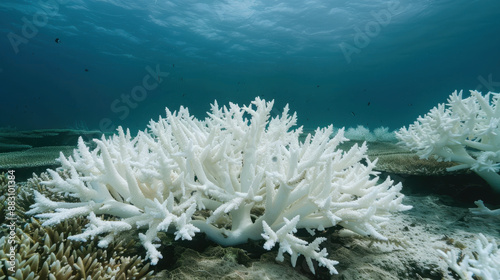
(99, 64)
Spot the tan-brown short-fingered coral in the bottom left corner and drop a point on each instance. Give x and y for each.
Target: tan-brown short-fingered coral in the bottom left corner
(45, 253)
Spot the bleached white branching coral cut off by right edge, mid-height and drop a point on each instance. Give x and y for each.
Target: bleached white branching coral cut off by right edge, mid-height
(465, 130)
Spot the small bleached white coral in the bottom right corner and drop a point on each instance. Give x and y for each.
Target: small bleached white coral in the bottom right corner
(481, 263)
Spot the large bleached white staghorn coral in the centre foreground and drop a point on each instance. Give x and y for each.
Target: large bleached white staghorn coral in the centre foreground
(248, 173)
